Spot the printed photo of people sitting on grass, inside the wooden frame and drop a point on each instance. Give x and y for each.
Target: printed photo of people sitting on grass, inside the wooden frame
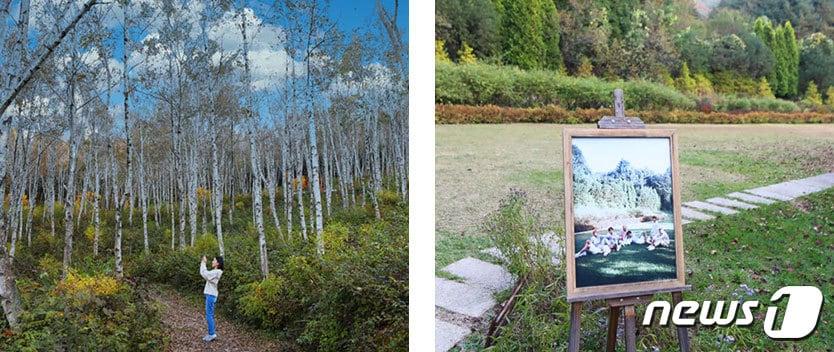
(623, 212)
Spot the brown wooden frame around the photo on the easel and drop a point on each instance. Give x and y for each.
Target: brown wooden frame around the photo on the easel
(672, 280)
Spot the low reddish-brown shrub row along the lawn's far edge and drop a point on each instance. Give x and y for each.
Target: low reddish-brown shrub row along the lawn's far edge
(466, 114)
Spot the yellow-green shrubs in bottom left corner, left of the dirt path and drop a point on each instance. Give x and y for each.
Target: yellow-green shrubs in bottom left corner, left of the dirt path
(84, 313)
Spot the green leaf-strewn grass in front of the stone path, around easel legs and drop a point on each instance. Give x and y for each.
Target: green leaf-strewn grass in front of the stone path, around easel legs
(788, 243)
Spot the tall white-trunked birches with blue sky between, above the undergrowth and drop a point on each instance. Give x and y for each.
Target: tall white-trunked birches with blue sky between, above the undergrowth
(142, 108)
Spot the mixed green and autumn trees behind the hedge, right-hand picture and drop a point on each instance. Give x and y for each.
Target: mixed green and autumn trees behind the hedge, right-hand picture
(738, 48)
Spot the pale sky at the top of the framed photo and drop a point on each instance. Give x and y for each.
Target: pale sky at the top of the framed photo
(603, 154)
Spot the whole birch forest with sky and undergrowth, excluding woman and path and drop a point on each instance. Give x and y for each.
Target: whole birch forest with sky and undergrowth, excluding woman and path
(139, 135)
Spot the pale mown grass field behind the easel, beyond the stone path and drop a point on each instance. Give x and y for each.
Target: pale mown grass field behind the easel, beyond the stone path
(476, 165)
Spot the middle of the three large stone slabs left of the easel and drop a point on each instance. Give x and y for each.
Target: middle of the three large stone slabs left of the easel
(469, 300)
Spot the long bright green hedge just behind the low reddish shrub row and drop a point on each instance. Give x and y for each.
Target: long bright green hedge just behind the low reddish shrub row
(481, 84)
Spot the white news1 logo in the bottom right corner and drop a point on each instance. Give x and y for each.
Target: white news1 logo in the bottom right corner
(799, 318)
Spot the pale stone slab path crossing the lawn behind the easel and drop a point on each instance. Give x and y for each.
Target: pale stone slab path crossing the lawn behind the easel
(463, 305)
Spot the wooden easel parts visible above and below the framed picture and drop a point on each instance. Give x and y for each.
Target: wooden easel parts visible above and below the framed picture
(625, 304)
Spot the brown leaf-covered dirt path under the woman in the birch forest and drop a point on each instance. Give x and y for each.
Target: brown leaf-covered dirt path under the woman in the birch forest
(187, 325)
